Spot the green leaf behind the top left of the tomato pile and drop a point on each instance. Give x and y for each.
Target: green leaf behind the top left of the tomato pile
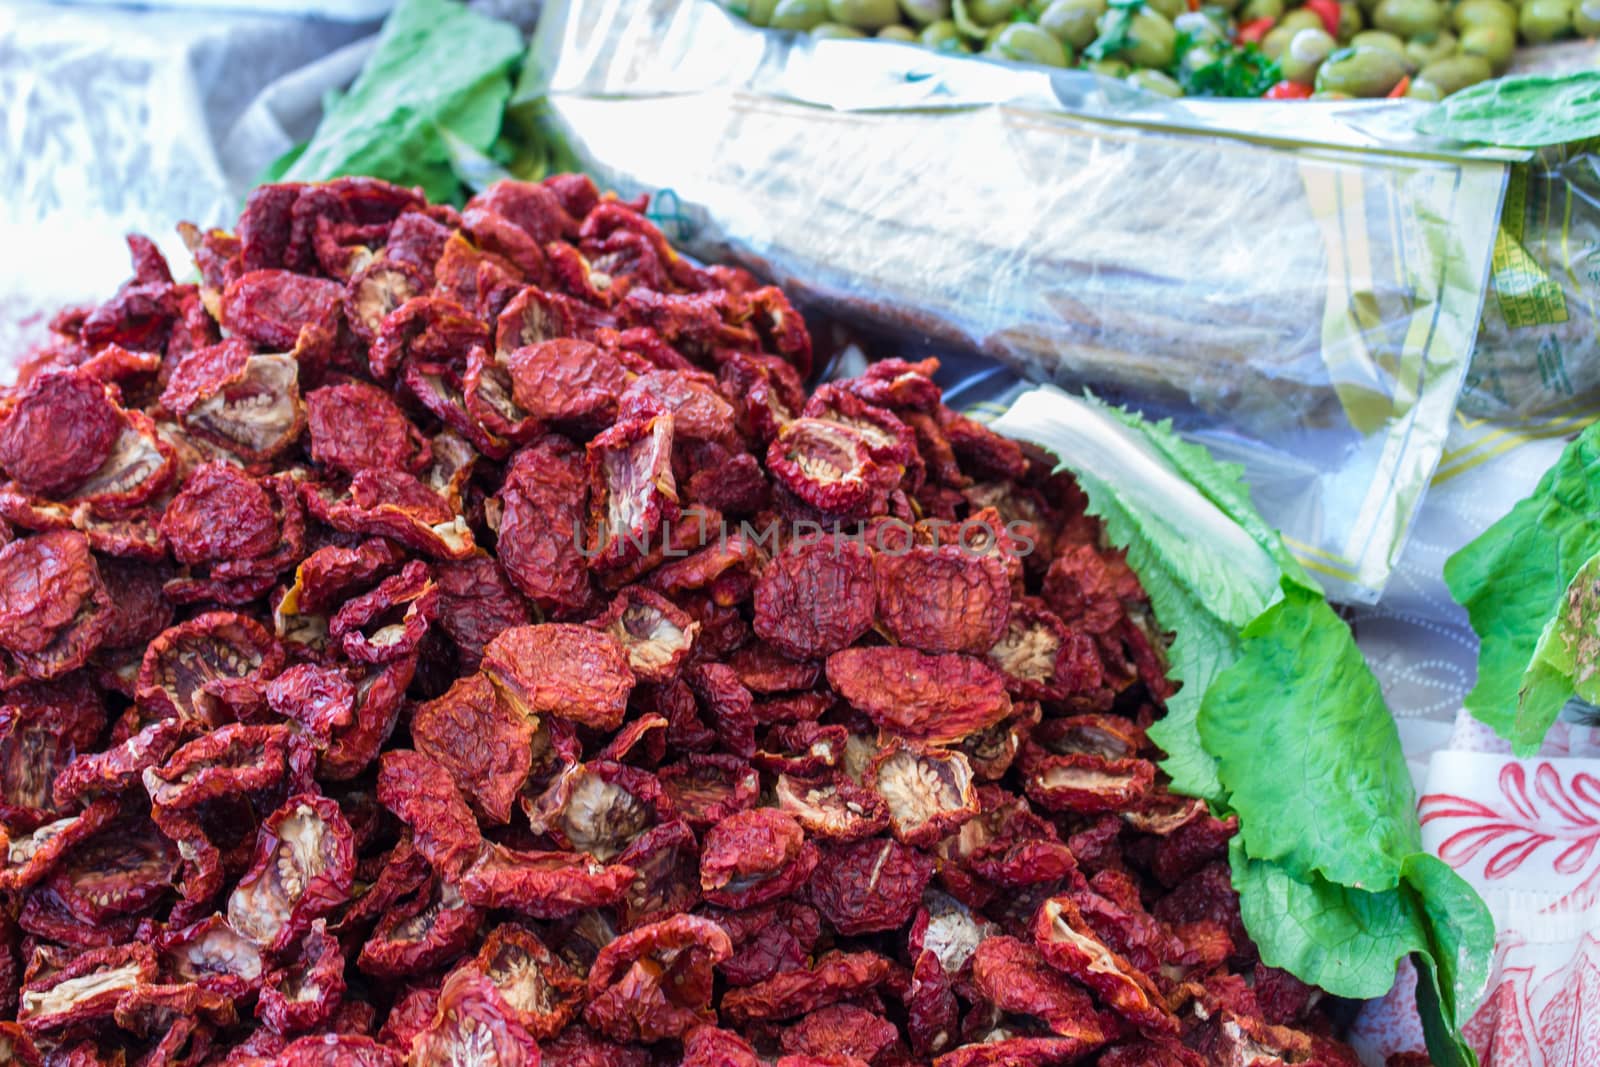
(438, 82)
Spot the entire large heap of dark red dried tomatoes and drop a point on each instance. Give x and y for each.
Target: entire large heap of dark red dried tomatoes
(458, 637)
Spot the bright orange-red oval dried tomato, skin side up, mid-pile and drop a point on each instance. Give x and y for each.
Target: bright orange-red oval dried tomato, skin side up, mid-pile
(562, 669)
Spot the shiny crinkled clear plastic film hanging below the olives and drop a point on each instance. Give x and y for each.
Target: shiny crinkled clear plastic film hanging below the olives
(1295, 284)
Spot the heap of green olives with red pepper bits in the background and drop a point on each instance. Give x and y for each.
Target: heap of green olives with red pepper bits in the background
(1322, 49)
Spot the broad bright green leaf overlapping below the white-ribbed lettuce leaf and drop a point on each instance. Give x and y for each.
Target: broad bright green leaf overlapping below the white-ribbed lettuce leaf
(1302, 701)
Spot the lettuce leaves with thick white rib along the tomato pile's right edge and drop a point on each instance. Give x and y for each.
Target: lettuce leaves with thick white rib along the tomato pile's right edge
(1279, 721)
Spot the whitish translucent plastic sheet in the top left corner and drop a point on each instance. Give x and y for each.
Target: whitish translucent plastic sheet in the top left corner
(111, 122)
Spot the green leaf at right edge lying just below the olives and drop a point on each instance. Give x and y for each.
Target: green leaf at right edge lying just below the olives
(1521, 113)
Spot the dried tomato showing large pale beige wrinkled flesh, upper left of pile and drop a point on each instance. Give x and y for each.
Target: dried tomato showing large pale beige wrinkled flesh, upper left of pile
(239, 401)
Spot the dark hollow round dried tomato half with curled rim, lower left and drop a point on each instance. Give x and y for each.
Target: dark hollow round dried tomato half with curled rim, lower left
(210, 669)
